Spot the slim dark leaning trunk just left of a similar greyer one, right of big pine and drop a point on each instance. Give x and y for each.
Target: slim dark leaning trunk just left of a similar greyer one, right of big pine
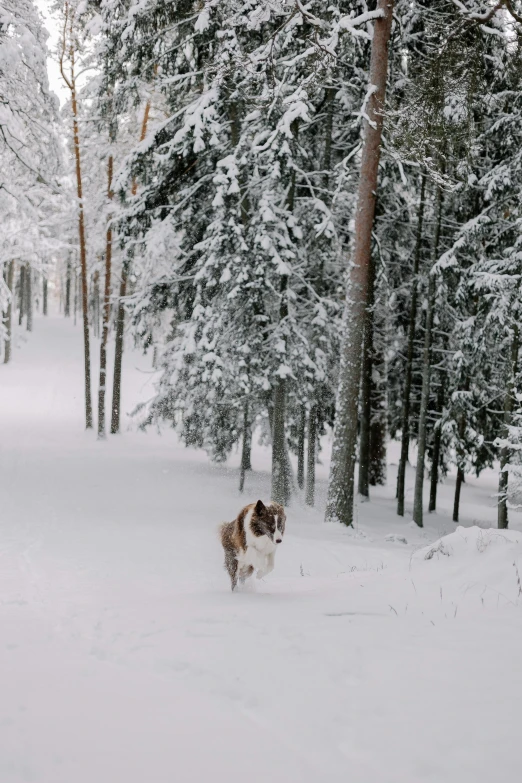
(408, 370)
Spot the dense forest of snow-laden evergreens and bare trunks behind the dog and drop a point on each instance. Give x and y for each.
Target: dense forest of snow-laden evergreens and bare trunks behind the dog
(309, 214)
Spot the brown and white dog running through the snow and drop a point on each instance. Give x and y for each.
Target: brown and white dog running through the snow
(251, 540)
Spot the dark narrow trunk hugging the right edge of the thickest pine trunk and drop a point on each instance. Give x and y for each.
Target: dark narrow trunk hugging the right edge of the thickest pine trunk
(366, 390)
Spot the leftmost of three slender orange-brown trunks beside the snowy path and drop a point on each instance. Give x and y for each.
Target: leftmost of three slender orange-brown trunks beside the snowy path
(71, 84)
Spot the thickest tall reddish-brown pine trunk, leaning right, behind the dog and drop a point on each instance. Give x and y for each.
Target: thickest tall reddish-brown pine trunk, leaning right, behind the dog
(340, 491)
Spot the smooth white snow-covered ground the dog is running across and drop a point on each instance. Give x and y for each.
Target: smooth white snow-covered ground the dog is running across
(125, 658)
